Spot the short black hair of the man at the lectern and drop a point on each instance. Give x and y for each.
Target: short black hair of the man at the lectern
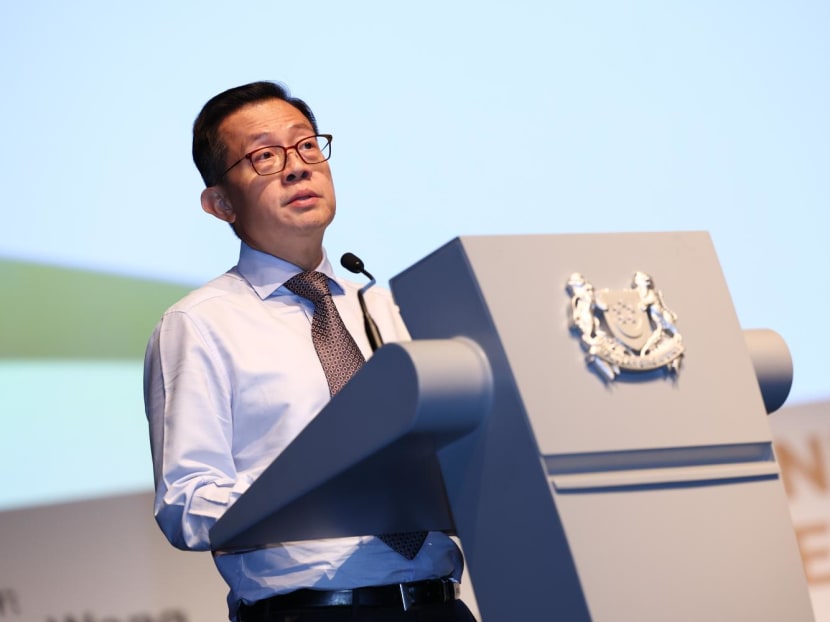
(209, 151)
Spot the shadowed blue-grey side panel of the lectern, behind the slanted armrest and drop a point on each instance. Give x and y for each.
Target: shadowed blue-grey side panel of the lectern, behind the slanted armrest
(513, 539)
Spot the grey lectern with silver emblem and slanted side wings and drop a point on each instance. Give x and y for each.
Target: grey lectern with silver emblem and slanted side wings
(599, 444)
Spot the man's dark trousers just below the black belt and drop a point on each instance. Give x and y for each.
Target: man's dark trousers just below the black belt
(454, 611)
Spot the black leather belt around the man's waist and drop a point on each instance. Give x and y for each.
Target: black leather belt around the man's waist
(399, 595)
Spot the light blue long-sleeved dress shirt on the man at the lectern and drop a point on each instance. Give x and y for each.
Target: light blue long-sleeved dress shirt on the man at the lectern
(231, 377)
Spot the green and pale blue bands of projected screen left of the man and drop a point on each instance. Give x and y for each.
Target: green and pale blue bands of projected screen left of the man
(71, 348)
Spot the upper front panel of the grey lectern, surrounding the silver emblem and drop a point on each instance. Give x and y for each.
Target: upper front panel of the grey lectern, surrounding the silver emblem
(714, 399)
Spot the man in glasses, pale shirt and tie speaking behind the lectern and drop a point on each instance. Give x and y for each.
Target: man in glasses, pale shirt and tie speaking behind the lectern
(232, 375)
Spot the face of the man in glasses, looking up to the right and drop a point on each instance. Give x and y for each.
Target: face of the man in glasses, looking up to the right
(280, 214)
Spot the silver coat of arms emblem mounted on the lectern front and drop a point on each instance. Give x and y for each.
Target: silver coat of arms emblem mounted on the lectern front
(627, 329)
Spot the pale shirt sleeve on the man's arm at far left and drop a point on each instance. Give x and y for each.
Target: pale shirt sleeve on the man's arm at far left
(188, 400)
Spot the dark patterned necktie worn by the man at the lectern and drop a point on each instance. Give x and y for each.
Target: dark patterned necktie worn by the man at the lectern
(341, 358)
